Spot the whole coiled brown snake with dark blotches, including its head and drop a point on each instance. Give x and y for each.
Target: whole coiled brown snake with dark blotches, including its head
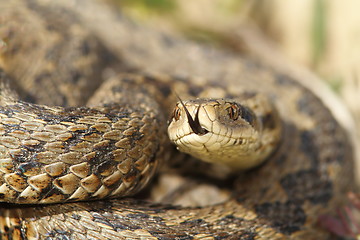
(83, 127)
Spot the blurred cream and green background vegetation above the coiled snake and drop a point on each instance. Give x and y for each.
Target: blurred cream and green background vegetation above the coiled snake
(321, 35)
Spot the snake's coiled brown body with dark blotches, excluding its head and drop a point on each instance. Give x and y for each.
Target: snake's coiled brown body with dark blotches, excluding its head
(60, 53)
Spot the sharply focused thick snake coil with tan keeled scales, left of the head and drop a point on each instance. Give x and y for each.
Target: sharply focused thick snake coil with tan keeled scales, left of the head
(88, 157)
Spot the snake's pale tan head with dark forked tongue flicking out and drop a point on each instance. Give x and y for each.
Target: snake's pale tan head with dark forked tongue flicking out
(220, 131)
